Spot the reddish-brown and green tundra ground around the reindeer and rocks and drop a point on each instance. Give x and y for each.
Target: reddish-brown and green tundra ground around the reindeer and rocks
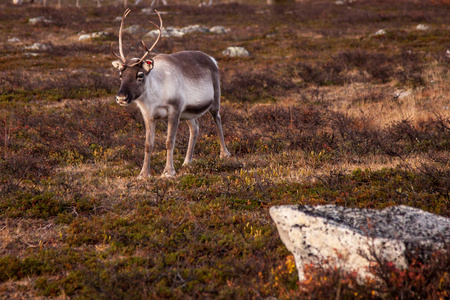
(323, 111)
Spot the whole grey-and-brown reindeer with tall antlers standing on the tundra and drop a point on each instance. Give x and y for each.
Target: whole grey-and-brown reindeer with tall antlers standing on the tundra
(181, 86)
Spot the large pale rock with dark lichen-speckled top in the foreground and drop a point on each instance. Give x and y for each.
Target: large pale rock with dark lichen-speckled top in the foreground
(348, 237)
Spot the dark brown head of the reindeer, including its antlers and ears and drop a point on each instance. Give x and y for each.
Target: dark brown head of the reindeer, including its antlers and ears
(133, 71)
